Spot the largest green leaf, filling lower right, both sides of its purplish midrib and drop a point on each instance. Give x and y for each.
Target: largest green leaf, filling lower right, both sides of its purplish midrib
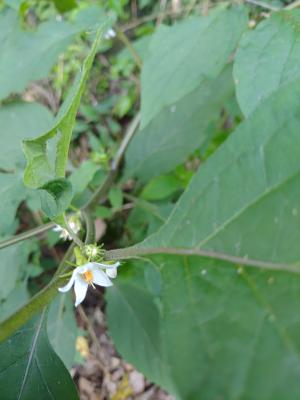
(224, 331)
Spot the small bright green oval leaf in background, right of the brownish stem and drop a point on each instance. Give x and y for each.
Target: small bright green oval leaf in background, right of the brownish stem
(161, 187)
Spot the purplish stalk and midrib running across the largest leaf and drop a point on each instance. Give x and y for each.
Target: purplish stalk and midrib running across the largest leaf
(131, 252)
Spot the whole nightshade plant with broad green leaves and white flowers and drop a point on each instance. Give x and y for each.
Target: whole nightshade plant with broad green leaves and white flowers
(206, 302)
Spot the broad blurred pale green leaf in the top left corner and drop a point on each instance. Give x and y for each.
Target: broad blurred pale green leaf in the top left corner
(26, 55)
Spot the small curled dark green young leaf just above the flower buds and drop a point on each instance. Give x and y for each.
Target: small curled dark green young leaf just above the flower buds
(56, 196)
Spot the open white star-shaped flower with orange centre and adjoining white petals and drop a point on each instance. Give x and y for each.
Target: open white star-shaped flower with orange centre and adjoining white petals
(90, 274)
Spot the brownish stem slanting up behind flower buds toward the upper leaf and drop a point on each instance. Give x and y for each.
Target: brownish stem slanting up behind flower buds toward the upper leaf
(104, 188)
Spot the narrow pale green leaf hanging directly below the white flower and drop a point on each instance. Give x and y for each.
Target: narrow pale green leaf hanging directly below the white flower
(62, 328)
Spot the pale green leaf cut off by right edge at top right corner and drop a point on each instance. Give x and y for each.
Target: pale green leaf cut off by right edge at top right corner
(267, 58)
